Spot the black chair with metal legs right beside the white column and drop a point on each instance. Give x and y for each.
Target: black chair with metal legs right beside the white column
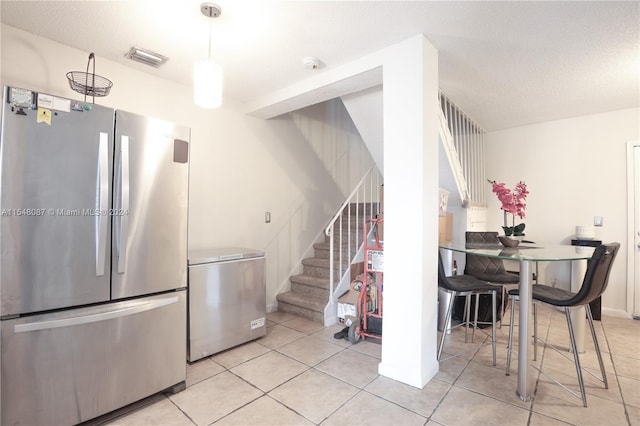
(467, 286)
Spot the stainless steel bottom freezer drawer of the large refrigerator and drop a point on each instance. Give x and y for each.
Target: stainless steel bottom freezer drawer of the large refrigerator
(71, 366)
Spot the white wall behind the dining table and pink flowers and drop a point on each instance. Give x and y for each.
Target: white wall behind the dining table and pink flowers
(575, 169)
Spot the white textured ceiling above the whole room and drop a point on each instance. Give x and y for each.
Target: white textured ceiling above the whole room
(504, 63)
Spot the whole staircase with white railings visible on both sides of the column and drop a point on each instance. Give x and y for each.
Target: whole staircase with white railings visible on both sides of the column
(461, 162)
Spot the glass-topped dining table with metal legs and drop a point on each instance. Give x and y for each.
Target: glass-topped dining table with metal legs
(526, 254)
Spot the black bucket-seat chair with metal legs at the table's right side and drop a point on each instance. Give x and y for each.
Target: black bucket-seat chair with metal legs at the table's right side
(594, 284)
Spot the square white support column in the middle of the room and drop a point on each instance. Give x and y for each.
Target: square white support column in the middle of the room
(410, 88)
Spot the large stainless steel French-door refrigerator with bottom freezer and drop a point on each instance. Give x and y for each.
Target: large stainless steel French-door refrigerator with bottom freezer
(93, 248)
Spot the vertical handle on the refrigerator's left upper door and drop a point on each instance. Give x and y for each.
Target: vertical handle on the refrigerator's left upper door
(102, 219)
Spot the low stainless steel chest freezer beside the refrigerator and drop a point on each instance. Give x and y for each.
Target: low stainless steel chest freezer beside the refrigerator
(227, 299)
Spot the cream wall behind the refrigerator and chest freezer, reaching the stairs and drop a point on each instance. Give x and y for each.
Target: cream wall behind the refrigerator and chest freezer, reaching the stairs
(298, 167)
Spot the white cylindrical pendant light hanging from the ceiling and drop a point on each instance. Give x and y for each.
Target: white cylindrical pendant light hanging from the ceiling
(207, 74)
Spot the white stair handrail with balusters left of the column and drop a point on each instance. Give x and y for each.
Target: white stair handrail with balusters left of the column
(367, 192)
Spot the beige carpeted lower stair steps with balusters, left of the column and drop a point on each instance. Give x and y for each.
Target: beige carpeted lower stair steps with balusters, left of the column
(310, 291)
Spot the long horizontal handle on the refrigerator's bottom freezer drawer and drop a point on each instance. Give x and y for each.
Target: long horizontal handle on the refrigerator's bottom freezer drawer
(91, 318)
